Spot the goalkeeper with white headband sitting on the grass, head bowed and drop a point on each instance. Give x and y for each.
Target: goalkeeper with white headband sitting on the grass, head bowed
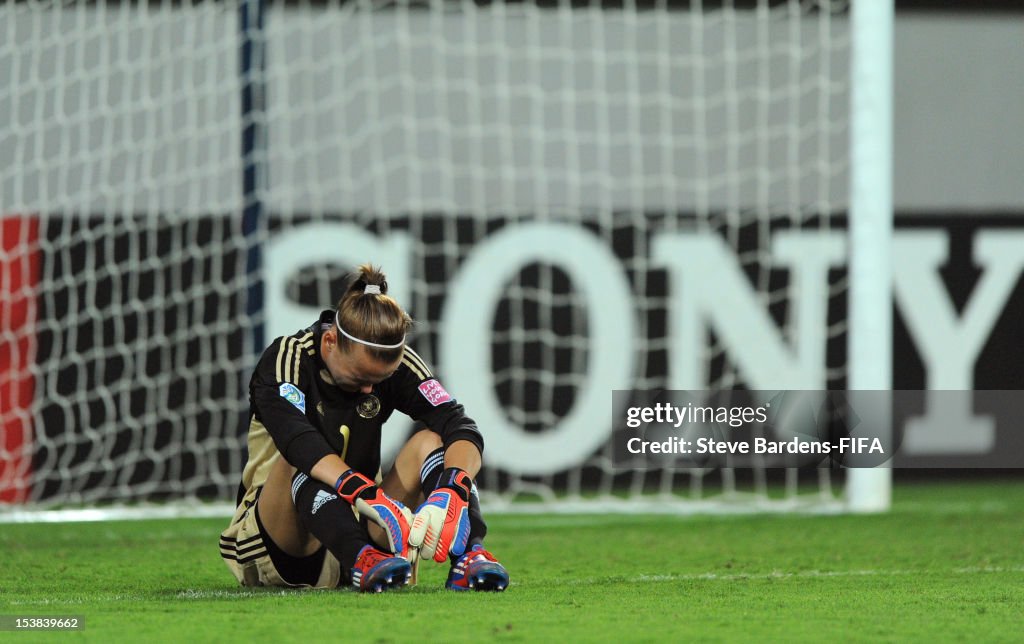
(310, 512)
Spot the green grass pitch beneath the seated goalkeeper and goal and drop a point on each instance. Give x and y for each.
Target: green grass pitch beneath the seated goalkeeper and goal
(947, 564)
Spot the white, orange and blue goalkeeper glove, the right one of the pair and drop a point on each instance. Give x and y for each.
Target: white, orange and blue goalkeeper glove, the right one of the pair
(442, 524)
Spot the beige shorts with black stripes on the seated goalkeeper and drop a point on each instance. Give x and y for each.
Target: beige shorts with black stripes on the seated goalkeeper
(255, 561)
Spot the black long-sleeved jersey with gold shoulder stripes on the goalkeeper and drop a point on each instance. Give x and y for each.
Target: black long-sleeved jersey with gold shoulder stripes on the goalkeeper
(298, 412)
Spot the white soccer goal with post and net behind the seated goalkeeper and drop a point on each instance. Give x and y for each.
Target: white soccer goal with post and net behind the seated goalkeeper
(571, 197)
